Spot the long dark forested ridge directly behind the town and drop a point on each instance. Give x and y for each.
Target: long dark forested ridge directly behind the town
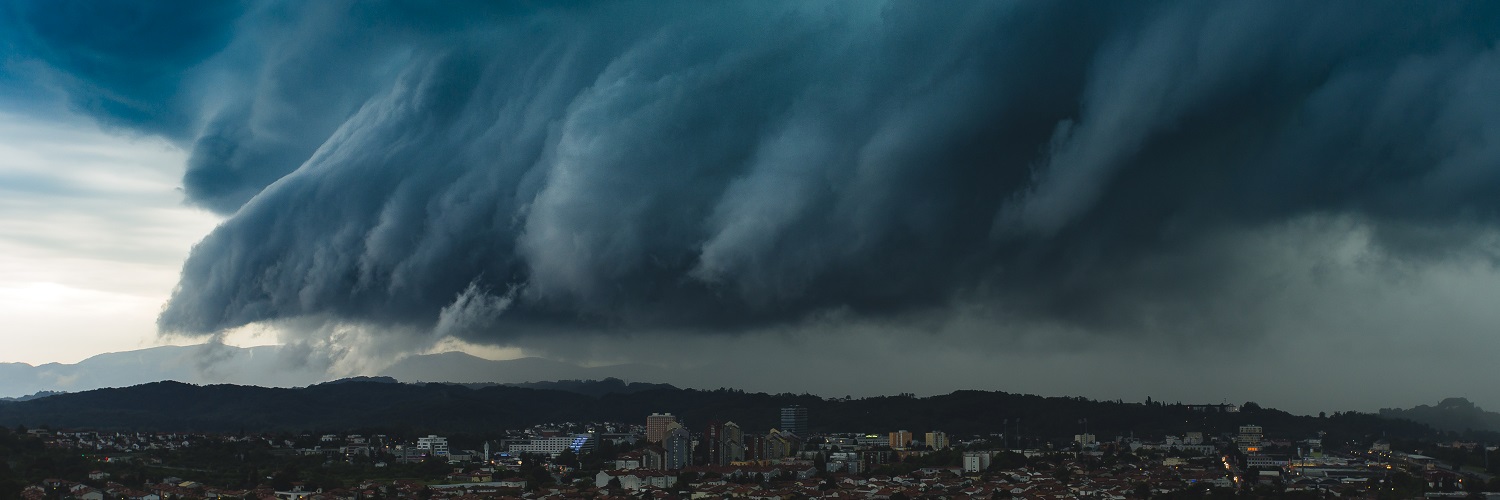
(172, 406)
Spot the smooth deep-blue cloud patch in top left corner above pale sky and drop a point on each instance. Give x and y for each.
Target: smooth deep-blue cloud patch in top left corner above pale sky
(124, 62)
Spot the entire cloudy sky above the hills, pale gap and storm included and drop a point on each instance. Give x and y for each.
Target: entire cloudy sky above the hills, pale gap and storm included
(1205, 202)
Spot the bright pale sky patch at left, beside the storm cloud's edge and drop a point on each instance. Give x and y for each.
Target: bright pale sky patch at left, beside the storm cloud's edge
(94, 232)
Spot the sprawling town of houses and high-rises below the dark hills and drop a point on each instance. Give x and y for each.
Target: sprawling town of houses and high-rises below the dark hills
(664, 457)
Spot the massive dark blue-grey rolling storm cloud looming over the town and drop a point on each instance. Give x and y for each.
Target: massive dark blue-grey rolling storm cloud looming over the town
(727, 166)
